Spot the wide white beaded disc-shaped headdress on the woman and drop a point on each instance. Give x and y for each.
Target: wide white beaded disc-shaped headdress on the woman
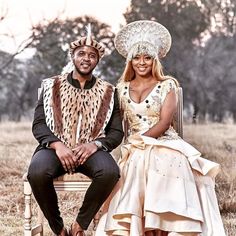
(143, 36)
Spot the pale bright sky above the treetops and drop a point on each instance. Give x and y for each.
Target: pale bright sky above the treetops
(21, 14)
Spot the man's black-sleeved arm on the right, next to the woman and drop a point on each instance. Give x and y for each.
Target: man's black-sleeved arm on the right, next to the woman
(114, 130)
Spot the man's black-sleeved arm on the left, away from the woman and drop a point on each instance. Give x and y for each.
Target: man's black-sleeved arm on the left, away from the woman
(40, 129)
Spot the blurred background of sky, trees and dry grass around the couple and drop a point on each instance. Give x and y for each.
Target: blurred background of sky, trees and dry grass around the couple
(34, 37)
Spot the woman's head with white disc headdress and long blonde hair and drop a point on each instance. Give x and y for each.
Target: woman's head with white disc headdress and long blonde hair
(143, 39)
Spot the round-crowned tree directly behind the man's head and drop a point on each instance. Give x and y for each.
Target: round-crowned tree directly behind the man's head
(53, 40)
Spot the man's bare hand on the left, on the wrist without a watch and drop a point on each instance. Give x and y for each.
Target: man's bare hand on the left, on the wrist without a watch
(66, 156)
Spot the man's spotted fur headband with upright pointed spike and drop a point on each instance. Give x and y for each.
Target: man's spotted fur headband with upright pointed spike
(87, 41)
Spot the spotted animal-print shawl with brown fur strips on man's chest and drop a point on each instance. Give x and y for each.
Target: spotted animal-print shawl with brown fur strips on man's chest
(77, 115)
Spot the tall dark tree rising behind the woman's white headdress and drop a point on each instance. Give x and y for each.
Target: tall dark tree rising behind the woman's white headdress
(186, 23)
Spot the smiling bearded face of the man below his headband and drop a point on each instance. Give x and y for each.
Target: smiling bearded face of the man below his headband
(85, 59)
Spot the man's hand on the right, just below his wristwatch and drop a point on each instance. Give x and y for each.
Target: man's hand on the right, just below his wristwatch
(84, 151)
